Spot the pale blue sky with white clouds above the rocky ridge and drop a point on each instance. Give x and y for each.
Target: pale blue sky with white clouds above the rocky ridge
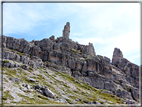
(106, 25)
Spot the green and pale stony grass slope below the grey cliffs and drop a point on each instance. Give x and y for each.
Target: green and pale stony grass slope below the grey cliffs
(56, 81)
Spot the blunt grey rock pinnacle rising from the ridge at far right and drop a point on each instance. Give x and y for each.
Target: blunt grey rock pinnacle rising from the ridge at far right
(117, 55)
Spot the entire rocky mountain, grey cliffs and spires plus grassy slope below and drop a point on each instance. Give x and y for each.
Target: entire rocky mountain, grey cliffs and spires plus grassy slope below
(61, 71)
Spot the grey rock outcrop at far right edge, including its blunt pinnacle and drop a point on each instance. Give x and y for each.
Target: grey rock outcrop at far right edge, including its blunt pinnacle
(131, 70)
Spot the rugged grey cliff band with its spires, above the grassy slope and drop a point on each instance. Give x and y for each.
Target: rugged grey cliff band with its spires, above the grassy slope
(121, 78)
